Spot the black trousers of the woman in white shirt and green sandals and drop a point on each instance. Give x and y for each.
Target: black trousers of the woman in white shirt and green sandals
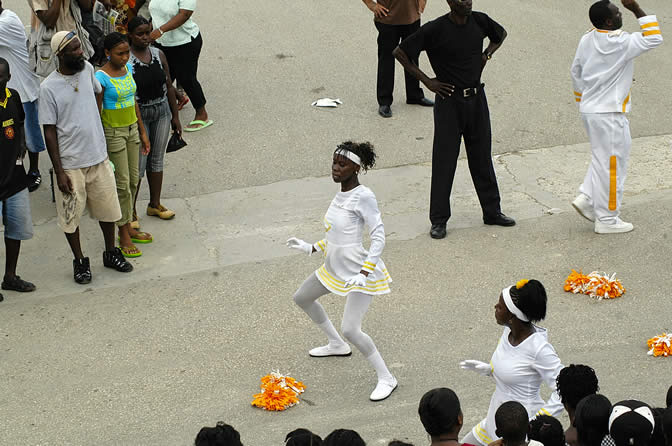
(183, 62)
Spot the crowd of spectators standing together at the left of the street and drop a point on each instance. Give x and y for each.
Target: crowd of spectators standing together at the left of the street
(105, 109)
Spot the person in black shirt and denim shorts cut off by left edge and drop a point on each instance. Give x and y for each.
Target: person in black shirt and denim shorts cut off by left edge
(14, 203)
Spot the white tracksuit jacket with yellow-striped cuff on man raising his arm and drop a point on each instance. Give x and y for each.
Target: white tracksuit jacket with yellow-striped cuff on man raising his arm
(603, 66)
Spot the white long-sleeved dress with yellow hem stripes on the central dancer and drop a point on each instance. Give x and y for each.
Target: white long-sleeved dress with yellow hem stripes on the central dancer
(345, 256)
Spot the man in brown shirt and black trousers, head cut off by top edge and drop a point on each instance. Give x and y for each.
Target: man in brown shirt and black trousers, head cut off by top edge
(395, 20)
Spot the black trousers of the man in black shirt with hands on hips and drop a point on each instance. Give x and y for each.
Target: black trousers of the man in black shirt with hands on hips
(456, 118)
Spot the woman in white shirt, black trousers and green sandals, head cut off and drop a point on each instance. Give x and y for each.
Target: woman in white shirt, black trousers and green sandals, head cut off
(179, 37)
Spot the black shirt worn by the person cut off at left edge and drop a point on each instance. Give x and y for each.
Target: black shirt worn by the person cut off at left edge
(13, 178)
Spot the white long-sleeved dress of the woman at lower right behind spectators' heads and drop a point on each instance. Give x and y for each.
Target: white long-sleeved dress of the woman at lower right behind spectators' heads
(518, 372)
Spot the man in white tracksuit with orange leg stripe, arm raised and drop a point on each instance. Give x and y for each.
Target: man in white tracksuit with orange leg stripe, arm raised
(602, 74)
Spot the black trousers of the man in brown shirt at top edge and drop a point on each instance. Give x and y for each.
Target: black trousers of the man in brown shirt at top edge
(389, 37)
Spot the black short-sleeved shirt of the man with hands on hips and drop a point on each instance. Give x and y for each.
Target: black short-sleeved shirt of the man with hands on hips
(455, 51)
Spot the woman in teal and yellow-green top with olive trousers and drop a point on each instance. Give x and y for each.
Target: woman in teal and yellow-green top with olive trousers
(124, 132)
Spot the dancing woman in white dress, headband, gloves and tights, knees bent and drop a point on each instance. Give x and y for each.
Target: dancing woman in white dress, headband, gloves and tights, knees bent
(349, 269)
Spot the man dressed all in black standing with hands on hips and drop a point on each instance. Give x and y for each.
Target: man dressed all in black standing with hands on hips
(454, 46)
